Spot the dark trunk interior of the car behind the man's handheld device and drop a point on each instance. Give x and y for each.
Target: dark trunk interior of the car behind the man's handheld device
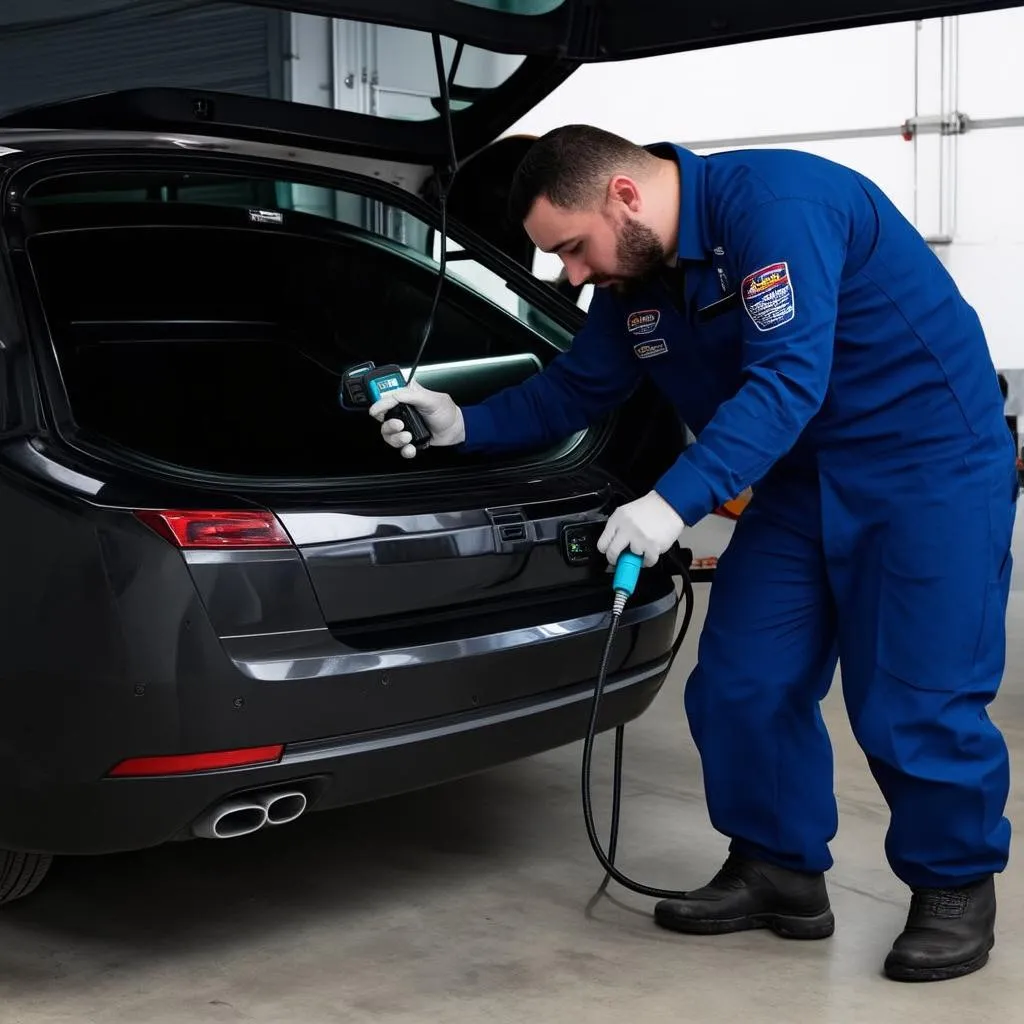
(189, 335)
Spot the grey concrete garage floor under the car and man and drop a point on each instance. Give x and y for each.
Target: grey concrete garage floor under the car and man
(471, 904)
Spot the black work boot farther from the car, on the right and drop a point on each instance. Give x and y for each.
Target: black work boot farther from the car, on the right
(949, 934)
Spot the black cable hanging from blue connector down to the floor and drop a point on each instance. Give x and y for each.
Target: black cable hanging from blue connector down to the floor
(608, 861)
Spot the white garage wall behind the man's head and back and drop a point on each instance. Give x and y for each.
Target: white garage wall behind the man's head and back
(863, 78)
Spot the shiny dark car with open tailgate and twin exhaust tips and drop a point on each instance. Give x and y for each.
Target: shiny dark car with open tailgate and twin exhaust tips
(225, 603)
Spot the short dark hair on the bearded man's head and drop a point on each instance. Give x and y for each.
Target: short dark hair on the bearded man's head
(571, 167)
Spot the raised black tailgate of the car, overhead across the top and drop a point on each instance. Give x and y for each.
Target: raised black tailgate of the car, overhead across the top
(517, 53)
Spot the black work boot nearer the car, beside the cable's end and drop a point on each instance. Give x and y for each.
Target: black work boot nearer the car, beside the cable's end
(748, 894)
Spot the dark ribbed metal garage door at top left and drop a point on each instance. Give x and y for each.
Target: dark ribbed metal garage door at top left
(48, 55)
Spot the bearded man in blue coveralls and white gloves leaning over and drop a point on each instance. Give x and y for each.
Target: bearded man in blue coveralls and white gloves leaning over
(819, 351)
